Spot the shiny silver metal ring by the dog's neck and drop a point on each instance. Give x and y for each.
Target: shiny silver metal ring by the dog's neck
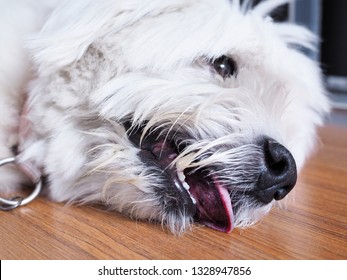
(15, 202)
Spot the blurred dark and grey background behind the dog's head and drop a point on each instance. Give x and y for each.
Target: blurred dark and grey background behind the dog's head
(327, 19)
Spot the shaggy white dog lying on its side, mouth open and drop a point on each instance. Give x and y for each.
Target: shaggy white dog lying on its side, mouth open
(172, 111)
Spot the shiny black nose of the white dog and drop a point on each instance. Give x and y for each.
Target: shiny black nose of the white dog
(278, 176)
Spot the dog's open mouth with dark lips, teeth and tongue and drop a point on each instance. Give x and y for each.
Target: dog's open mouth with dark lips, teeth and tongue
(195, 192)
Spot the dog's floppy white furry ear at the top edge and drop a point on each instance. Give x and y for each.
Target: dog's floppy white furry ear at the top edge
(75, 25)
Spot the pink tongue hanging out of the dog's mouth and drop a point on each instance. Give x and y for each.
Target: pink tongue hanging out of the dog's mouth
(213, 204)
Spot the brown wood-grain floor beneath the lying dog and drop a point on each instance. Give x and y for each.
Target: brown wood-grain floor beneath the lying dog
(313, 226)
